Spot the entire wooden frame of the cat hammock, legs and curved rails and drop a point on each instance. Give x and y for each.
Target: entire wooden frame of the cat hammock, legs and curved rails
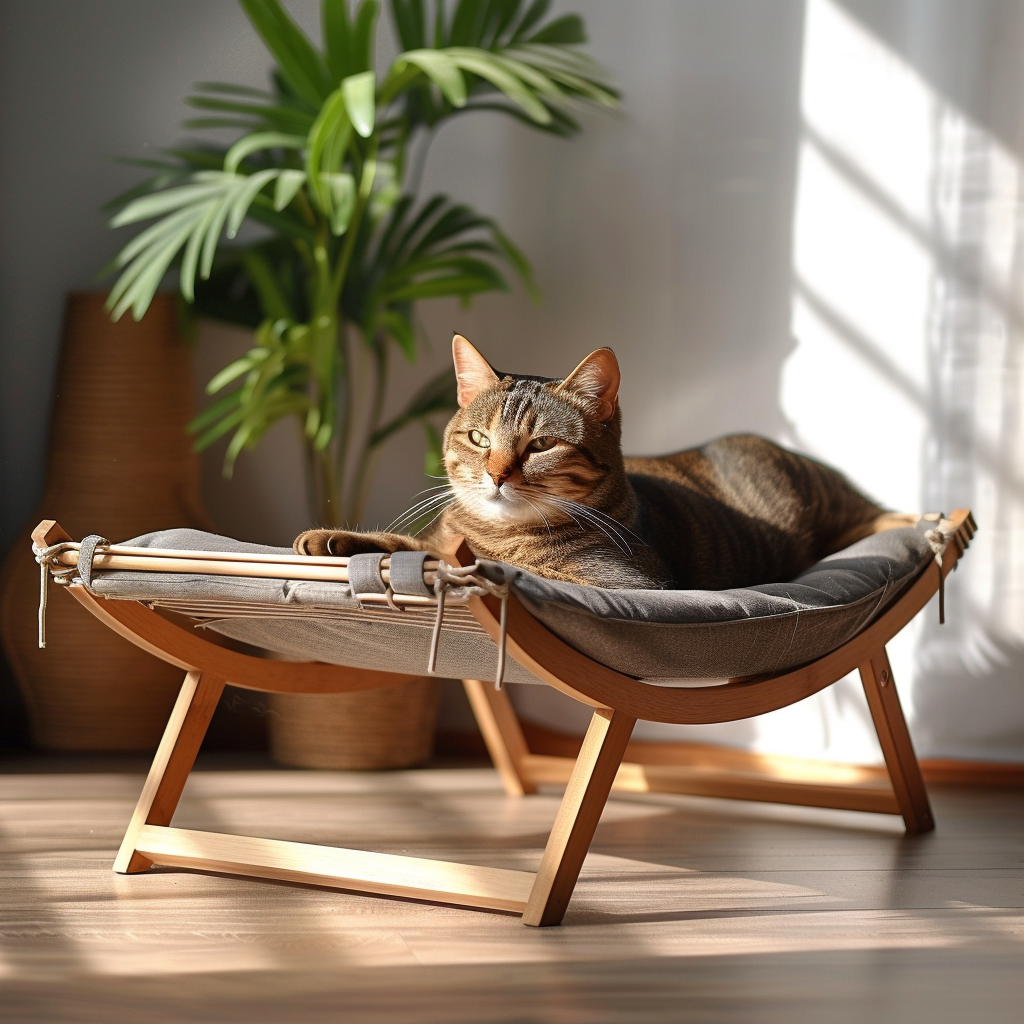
(618, 702)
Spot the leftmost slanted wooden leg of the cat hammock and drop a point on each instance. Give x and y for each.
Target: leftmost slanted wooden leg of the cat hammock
(175, 760)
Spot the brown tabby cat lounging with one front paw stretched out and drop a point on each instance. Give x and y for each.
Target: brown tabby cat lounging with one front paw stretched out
(538, 480)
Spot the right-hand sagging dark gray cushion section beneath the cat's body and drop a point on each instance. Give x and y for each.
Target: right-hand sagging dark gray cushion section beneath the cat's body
(689, 634)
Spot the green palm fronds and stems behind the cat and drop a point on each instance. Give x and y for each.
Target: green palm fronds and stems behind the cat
(345, 247)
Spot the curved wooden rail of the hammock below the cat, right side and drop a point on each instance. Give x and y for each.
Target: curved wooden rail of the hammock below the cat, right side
(552, 660)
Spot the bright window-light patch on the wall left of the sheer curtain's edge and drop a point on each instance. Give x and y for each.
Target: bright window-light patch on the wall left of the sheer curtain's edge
(855, 391)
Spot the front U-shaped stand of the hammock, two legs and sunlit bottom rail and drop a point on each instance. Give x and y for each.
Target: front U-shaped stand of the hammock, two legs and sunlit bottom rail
(541, 899)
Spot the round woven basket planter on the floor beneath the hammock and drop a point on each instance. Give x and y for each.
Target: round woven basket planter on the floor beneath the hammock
(369, 730)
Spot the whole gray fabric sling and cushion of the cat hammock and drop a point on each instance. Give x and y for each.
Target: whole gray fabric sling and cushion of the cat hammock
(663, 636)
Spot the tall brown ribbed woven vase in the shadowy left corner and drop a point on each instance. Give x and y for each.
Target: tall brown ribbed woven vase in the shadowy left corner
(120, 463)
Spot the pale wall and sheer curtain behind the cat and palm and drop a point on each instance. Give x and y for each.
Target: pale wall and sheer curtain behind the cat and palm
(779, 233)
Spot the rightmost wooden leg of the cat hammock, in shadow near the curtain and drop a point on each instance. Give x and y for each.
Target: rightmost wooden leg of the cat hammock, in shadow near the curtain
(905, 772)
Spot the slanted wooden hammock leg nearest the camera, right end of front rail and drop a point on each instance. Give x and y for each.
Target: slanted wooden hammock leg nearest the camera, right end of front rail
(585, 798)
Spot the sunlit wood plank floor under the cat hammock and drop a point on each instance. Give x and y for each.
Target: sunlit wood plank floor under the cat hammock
(689, 910)
